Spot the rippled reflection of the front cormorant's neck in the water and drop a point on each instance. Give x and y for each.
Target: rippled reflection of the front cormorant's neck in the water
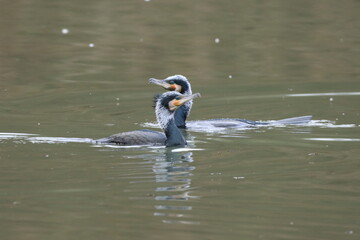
(173, 172)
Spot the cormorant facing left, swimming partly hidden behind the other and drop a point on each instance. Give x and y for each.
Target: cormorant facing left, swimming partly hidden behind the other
(180, 83)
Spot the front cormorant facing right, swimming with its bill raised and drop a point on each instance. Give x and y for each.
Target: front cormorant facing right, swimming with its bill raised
(165, 107)
